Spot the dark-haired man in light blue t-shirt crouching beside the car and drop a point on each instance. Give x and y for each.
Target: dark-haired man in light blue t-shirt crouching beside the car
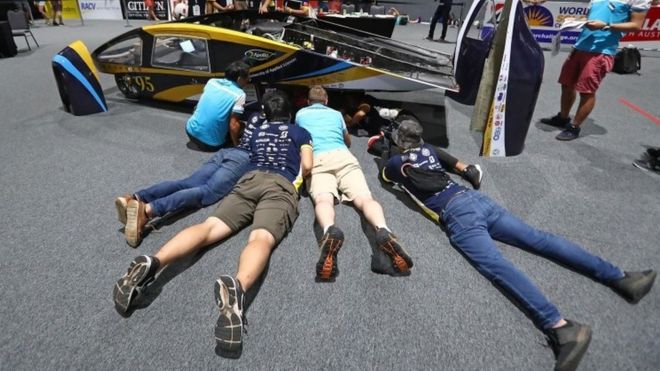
(219, 109)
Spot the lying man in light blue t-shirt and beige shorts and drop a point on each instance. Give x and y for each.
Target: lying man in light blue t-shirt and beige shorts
(337, 175)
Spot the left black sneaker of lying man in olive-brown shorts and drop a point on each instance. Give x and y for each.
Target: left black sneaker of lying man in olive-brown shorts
(140, 273)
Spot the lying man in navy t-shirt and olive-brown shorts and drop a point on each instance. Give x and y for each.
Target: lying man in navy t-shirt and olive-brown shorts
(266, 197)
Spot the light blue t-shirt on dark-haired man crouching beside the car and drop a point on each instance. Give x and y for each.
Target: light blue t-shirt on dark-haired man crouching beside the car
(210, 121)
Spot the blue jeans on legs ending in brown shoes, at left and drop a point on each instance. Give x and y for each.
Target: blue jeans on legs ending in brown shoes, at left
(206, 186)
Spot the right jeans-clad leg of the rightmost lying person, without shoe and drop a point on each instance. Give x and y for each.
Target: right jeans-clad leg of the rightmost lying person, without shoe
(507, 228)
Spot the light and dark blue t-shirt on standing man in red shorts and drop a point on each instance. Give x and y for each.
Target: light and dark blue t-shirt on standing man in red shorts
(610, 12)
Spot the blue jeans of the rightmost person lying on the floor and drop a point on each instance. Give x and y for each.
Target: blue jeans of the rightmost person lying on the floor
(473, 220)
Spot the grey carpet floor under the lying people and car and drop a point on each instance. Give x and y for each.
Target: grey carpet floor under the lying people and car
(62, 248)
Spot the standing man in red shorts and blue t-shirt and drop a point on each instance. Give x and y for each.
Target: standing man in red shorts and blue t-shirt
(593, 58)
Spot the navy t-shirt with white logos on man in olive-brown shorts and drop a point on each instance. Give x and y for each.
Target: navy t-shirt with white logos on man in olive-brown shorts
(275, 146)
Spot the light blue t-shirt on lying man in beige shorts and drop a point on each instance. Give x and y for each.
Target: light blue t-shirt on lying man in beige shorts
(326, 126)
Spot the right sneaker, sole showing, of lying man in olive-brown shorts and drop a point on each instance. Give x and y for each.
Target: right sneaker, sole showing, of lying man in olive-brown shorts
(229, 328)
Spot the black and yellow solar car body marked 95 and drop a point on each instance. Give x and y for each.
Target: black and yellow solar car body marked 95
(173, 61)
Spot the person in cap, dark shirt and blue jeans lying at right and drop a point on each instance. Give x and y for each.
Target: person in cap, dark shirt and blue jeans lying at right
(472, 221)
